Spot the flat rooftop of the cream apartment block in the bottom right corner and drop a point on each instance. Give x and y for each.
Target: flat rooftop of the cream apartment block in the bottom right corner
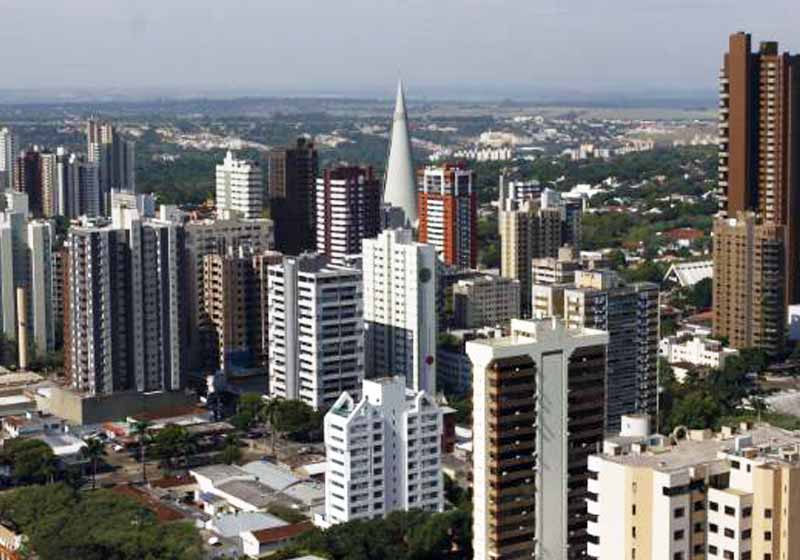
(688, 453)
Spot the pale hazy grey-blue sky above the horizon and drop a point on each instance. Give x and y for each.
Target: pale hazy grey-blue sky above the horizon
(352, 45)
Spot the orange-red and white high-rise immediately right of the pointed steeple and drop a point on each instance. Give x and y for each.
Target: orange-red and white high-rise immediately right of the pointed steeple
(448, 214)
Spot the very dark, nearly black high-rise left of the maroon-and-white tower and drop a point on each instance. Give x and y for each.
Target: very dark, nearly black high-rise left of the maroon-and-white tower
(292, 180)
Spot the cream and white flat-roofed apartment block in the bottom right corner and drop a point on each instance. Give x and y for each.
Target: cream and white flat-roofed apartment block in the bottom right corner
(726, 495)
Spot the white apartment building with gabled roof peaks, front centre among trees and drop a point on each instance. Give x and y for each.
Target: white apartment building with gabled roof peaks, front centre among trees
(383, 453)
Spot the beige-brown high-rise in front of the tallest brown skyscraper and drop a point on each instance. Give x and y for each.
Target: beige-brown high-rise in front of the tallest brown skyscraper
(748, 282)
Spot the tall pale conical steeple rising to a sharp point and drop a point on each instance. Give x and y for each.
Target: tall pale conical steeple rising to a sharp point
(400, 189)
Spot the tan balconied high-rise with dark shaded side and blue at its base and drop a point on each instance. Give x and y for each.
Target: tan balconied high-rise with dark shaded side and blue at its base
(235, 301)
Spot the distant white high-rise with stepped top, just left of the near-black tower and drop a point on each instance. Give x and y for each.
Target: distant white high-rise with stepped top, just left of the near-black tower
(240, 188)
